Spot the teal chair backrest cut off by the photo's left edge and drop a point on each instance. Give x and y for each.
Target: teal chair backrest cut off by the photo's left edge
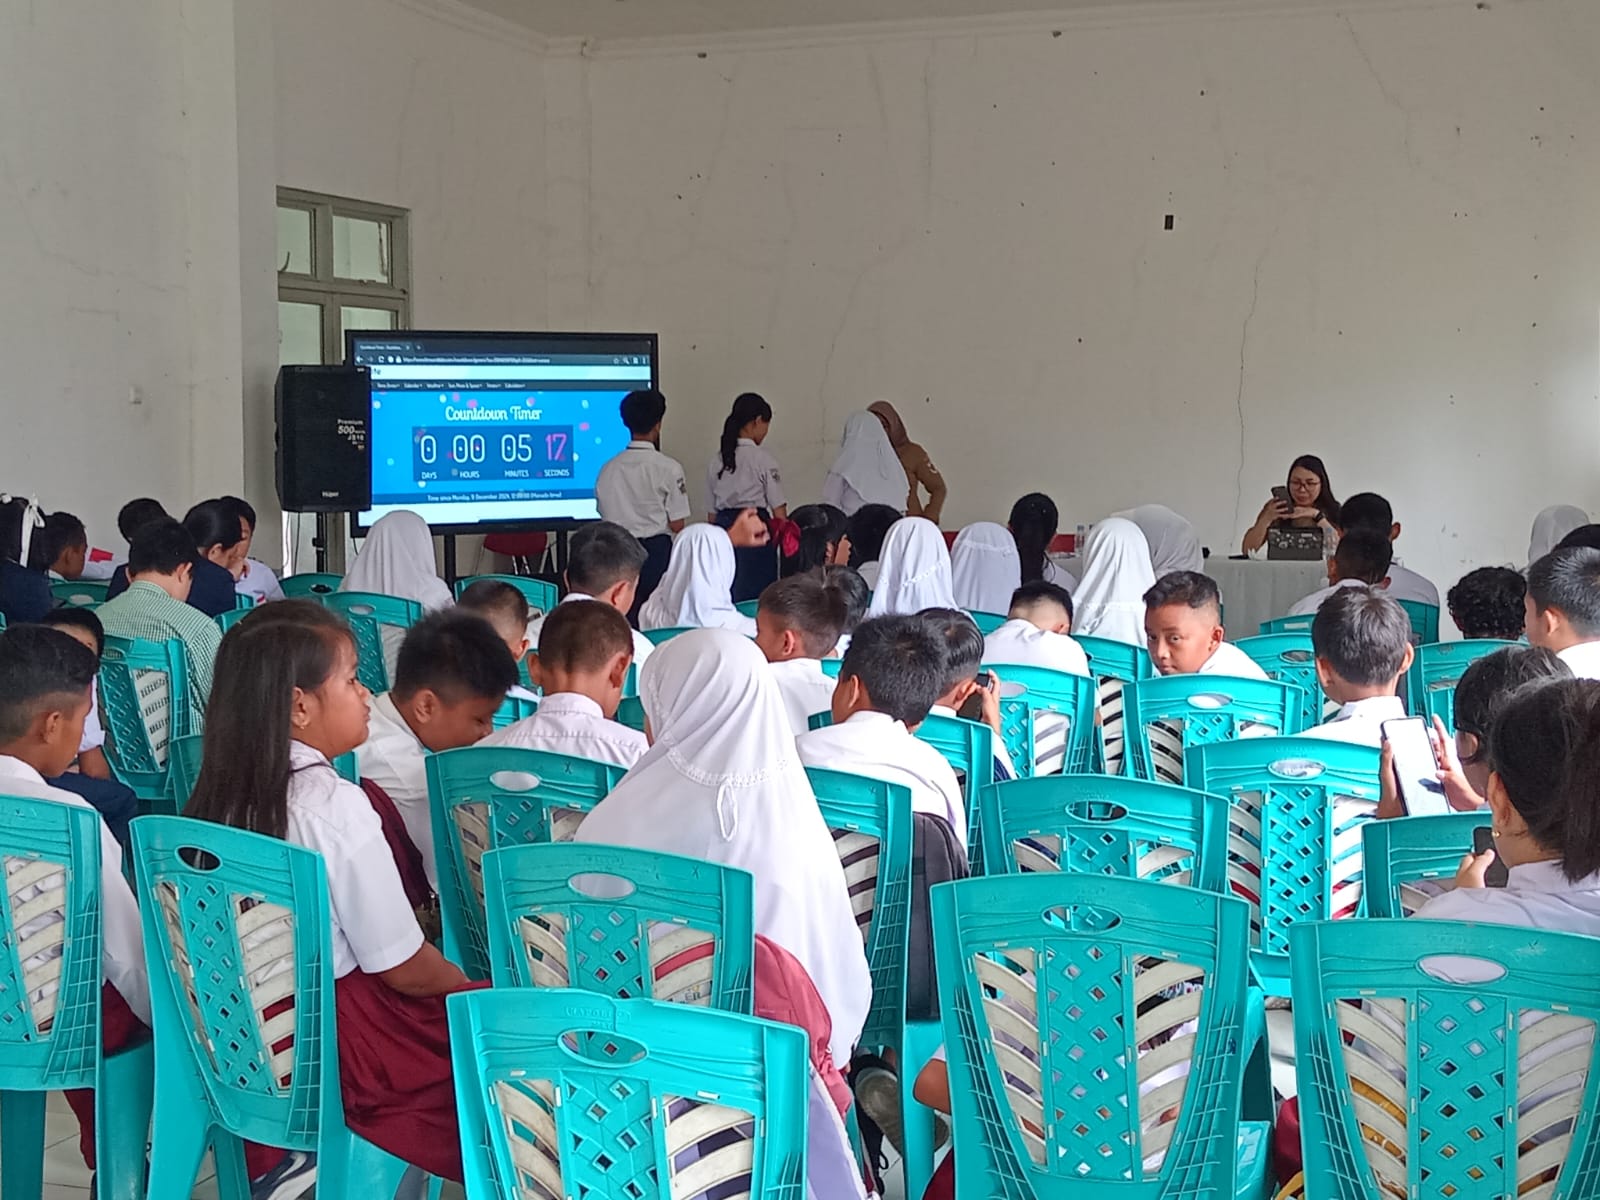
(50, 970)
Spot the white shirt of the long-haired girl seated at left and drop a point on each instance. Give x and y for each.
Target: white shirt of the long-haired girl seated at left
(374, 924)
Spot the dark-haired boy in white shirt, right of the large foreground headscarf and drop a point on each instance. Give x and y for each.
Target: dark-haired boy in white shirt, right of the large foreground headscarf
(887, 686)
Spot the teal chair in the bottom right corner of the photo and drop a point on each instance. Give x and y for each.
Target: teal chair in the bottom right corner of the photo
(1468, 1089)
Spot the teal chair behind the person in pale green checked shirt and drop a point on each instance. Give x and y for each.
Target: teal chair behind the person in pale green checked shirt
(145, 705)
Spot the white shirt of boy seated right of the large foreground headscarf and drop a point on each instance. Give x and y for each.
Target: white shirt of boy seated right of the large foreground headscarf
(881, 748)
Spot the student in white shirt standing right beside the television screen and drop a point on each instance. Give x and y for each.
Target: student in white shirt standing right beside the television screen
(644, 490)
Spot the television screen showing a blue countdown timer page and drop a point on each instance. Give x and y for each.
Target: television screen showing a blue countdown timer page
(476, 431)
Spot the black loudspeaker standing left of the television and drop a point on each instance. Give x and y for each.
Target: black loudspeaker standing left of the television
(324, 439)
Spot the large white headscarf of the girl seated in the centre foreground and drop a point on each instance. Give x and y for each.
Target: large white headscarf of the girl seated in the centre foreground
(724, 783)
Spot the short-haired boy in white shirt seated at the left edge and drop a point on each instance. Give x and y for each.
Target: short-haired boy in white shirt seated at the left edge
(46, 679)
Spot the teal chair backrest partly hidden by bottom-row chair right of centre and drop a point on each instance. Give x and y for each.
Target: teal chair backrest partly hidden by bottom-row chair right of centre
(1106, 826)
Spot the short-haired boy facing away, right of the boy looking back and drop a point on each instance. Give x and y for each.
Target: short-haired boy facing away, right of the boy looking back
(1364, 647)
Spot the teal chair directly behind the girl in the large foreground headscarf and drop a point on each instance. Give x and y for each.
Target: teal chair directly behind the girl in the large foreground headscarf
(628, 924)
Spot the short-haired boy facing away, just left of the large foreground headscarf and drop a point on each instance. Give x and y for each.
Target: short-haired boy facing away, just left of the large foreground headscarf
(585, 652)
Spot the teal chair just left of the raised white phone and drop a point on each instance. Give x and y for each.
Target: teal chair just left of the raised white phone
(1297, 809)
